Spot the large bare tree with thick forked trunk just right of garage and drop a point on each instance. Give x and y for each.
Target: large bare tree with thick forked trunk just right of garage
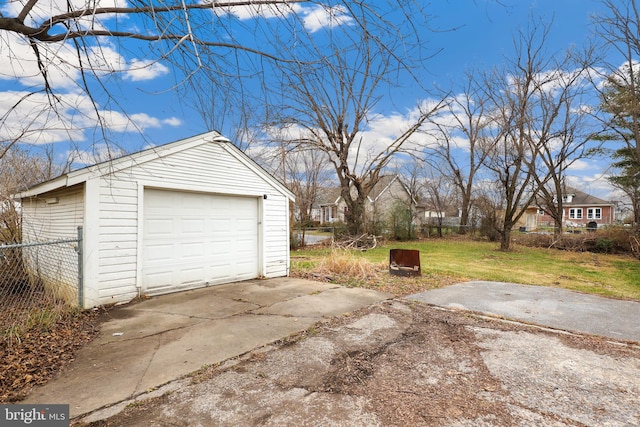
(328, 106)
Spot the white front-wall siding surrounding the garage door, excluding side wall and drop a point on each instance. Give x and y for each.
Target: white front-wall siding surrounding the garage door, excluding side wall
(205, 168)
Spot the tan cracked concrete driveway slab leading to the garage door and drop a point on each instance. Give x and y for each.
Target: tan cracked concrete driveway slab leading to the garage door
(145, 345)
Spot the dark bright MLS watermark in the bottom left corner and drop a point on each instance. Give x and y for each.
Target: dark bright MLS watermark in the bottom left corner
(34, 415)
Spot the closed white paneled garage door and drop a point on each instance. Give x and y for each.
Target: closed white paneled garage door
(193, 239)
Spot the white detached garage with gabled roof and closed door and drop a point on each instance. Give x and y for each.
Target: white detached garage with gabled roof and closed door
(192, 213)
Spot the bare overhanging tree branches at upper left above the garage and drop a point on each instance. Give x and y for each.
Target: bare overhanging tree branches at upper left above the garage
(203, 44)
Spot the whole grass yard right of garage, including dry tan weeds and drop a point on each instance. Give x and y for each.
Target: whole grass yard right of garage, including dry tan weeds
(447, 261)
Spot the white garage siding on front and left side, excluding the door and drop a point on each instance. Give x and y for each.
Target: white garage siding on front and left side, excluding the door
(112, 217)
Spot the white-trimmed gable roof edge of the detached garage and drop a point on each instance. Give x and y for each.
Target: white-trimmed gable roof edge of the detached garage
(82, 175)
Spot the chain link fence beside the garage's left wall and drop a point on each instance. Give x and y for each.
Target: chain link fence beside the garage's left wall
(38, 283)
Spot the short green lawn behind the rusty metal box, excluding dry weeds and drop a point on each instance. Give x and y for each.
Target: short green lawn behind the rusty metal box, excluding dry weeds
(609, 275)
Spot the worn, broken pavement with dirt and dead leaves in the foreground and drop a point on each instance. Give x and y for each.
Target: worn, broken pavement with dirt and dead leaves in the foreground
(401, 363)
